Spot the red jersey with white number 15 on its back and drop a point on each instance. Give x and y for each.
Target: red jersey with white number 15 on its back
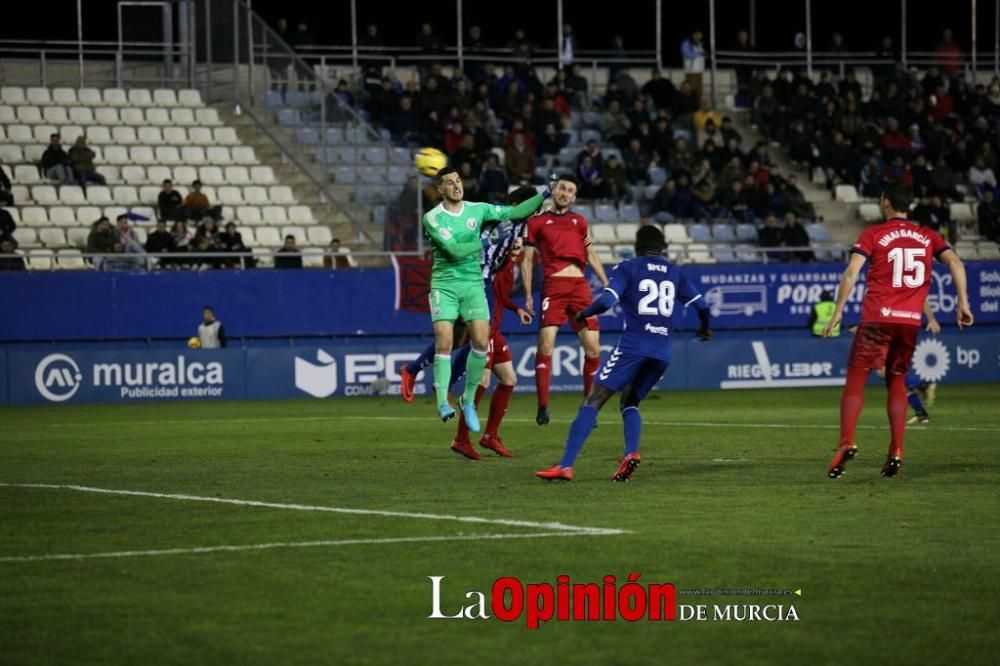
(899, 270)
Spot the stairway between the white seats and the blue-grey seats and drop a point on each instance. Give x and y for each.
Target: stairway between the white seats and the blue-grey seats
(325, 213)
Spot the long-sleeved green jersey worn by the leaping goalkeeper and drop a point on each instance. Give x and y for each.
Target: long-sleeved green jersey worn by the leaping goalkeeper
(455, 237)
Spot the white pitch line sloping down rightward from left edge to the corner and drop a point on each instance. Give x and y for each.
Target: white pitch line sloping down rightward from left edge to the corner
(560, 527)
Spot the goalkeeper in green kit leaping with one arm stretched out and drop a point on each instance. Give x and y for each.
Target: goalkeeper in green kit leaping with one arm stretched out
(454, 227)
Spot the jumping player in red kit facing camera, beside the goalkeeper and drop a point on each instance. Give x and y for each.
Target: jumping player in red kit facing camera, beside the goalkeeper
(561, 239)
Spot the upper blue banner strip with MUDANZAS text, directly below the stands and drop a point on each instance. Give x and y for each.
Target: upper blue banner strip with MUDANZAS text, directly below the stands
(167, 304)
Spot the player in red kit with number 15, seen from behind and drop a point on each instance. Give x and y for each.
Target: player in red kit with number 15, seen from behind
(899, 275)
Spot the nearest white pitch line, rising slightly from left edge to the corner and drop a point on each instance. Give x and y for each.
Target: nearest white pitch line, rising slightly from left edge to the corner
(294, 544)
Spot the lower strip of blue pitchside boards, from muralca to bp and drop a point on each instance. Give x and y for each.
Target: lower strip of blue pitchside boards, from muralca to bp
(736, 360)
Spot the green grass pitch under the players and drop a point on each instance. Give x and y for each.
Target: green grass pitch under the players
(732, 493)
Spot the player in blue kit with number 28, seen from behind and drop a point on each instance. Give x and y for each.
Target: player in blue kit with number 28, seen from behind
(650, 289)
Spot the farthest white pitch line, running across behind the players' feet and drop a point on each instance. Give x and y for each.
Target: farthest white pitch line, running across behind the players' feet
(348, 417)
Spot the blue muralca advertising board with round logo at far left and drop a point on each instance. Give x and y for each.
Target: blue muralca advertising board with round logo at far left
(71, 376)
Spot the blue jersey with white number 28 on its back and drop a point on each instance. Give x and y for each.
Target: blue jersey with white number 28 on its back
(650, 290)
